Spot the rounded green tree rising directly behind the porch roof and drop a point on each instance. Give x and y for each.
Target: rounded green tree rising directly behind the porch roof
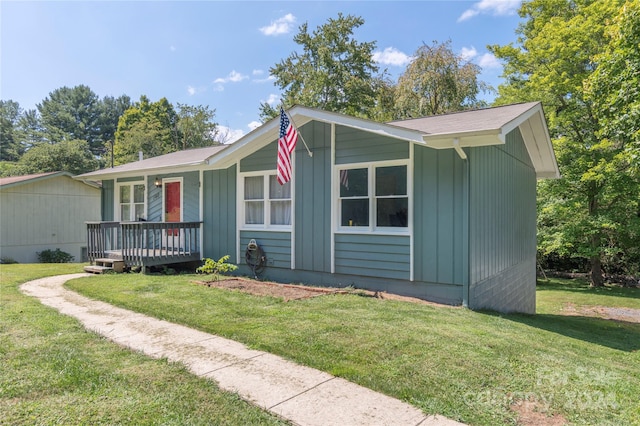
(149, 127)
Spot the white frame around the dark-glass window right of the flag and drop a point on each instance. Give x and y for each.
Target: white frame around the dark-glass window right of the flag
(371, 195)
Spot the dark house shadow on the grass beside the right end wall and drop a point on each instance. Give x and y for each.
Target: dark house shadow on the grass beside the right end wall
(619, 335)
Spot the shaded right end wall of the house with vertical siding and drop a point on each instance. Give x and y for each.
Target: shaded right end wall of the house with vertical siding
(502, 227)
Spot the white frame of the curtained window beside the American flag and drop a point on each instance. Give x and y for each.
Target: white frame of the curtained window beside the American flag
(266, 225)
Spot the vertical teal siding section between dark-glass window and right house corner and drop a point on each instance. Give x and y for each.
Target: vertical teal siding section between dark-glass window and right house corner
(439, 216)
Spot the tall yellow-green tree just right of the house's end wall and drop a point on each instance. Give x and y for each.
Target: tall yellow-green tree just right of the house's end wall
(583, 213)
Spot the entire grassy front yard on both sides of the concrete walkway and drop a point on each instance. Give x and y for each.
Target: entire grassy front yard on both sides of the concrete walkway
(560, 366)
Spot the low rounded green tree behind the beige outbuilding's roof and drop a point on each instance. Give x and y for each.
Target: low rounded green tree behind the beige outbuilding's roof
(73, 156)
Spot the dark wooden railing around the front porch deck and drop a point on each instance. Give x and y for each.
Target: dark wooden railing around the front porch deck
(144, 243)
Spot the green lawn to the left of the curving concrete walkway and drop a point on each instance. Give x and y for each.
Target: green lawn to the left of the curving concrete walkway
(52, 371)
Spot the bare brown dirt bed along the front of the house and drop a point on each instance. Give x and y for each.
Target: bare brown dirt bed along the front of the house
(289, 292)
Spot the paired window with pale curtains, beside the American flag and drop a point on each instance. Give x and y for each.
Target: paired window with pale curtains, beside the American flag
(266, 203)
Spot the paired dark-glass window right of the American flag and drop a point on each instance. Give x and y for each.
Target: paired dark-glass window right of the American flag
(374, 197)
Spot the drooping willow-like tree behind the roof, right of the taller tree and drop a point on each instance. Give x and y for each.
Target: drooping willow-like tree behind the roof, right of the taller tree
(437, 81)
